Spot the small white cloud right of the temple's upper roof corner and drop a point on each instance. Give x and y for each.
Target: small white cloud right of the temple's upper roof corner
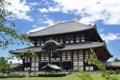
(110, 36)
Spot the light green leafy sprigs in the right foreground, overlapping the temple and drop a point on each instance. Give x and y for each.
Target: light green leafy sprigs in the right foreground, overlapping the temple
(94, 61)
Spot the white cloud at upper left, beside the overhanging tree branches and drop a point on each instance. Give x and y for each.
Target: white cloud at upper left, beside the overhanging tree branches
(19, 9)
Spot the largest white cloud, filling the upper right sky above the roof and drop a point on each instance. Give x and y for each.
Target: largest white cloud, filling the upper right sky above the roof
(89, 10)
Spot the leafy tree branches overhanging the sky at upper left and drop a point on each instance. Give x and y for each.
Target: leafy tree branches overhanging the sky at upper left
(8, 33)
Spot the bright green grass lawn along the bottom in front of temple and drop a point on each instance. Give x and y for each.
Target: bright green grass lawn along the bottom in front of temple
(68, 77)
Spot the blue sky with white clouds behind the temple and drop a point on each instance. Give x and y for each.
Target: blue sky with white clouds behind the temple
(33, 15)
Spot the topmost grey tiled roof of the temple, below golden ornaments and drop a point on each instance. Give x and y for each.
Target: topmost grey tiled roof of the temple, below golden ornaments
(60, 28)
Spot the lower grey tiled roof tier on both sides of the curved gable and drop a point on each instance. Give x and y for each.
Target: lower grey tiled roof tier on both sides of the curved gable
(67, 47)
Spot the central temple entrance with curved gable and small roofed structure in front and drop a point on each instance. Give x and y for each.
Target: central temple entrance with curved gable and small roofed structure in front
(50, 47)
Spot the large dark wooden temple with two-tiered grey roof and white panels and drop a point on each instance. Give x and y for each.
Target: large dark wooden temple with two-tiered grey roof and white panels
(65, 45)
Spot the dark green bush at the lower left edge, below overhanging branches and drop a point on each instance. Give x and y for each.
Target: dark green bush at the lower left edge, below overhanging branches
(5, 67)
